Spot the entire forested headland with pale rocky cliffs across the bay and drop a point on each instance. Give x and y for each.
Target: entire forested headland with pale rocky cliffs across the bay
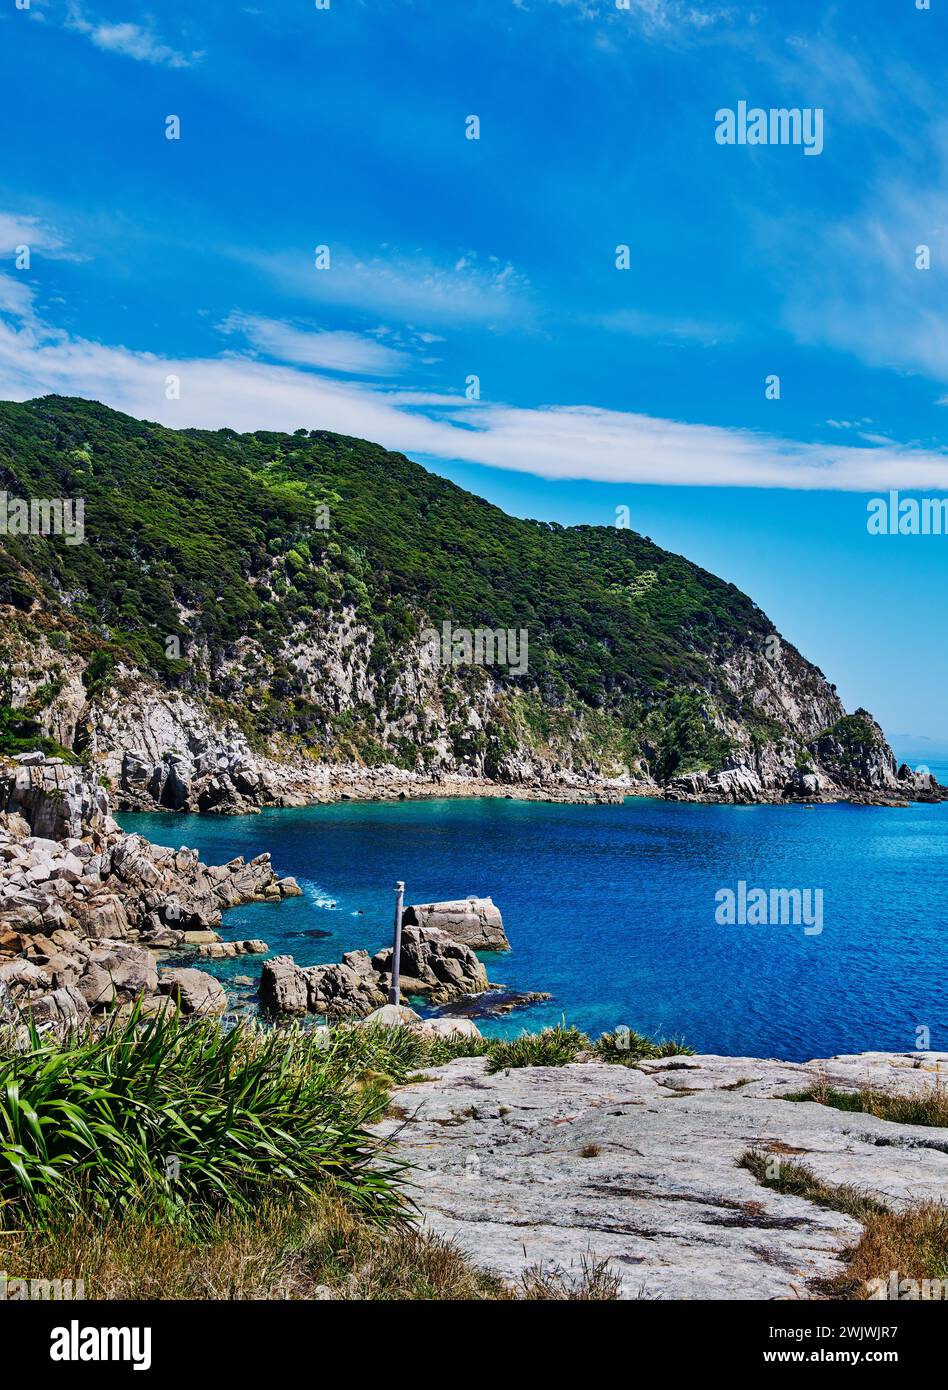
(211, 648)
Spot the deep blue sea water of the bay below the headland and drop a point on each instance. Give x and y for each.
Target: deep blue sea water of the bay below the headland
(612, 910)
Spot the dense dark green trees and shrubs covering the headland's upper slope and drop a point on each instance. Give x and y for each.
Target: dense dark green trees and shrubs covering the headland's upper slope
(269, 534)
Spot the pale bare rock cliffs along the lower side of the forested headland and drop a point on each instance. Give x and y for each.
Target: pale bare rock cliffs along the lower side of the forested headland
(785, 730)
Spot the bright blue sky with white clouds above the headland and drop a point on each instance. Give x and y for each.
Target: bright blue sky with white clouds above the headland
(497, 258)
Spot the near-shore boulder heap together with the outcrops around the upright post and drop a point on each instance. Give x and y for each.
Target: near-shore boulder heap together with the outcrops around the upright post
(95, 921)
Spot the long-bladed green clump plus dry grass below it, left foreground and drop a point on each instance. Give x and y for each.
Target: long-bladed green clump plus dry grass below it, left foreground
(166, 1159)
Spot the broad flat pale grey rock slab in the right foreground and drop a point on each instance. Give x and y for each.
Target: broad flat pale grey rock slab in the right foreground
(640, 1167)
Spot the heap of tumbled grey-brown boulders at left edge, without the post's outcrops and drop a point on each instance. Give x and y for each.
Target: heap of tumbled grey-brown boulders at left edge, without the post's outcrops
(85, 908)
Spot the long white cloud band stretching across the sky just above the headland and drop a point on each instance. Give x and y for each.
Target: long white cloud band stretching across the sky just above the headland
(551, 441)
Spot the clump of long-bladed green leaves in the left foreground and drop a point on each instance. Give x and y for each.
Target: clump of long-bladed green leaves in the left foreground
(186, 1121)
